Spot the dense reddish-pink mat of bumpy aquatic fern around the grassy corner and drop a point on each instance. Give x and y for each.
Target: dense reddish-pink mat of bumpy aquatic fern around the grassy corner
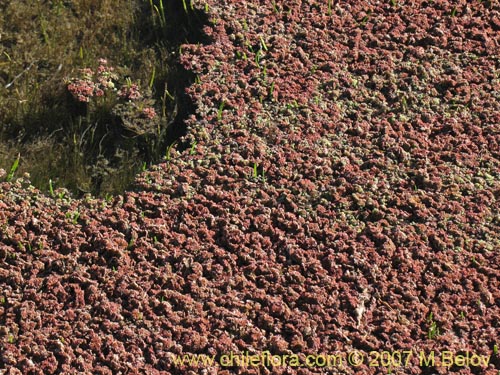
(337, 210)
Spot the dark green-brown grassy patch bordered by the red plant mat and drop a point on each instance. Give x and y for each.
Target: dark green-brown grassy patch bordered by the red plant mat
(95, 146)
